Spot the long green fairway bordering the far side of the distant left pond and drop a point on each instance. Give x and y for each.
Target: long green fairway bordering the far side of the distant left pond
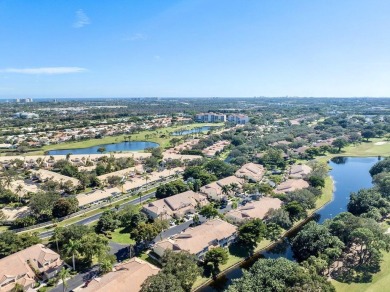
(141, 136)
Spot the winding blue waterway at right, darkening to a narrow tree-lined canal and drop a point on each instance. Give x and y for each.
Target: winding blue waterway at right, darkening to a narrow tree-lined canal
(350, 174)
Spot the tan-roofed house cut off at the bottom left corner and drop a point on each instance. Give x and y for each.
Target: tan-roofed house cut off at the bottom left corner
(26, 266)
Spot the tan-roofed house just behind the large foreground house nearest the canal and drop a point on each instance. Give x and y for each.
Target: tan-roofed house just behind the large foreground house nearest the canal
(175, 206)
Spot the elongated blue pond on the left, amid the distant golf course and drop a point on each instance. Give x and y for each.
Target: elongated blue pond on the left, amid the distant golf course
(115, 147)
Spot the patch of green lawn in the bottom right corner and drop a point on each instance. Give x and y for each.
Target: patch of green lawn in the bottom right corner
(380, 281)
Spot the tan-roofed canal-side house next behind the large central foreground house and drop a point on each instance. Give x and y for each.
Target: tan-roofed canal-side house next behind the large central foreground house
(253, 210)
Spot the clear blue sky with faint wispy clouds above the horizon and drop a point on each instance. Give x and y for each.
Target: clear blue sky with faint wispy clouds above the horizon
(123, 48)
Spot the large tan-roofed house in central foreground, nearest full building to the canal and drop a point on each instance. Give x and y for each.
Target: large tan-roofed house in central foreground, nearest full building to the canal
(200, 239)
